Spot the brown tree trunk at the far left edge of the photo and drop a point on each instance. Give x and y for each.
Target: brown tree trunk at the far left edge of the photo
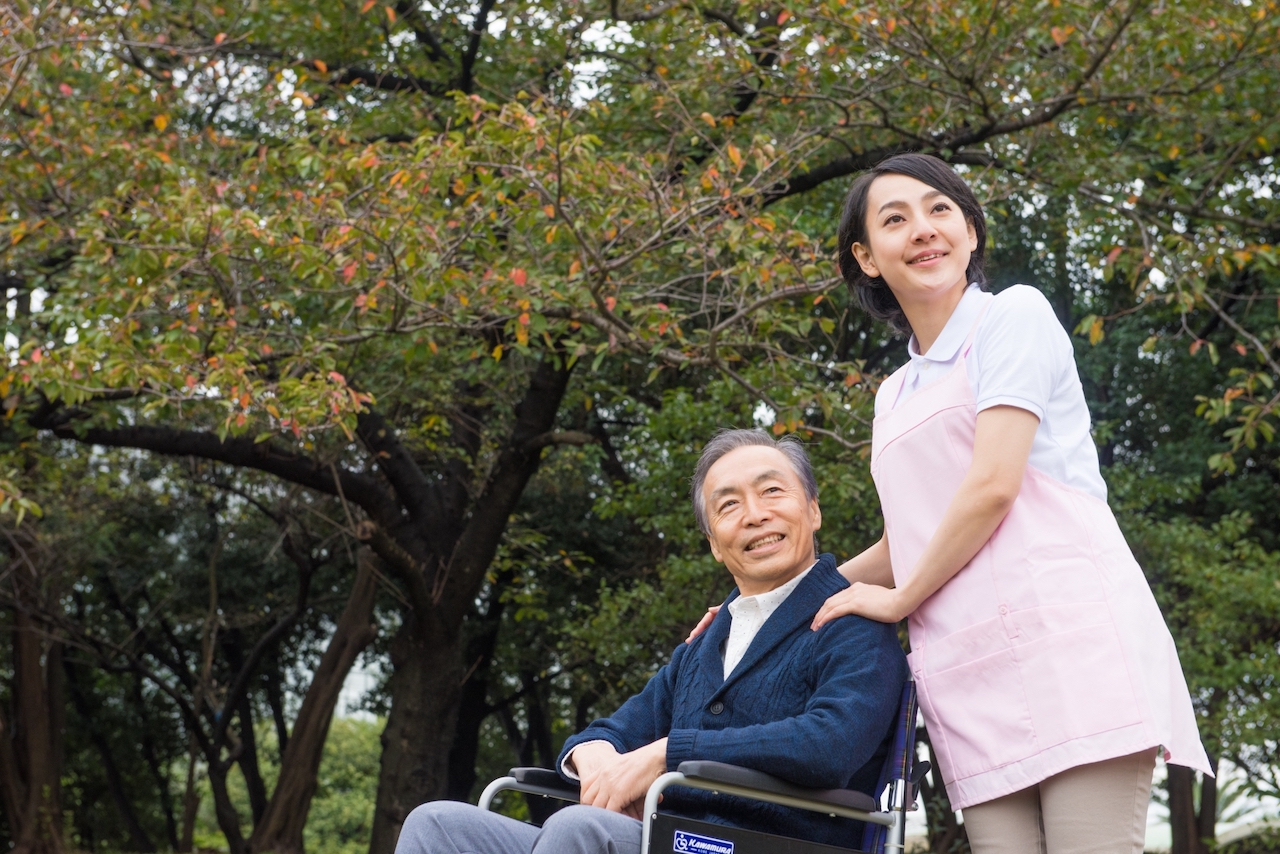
(31, 756)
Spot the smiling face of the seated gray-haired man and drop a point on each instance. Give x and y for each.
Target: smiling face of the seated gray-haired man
(761, 522)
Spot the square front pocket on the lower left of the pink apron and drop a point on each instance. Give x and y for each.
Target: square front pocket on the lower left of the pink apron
(977, 715)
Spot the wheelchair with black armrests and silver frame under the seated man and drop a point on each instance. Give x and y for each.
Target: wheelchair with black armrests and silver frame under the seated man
(884, 829)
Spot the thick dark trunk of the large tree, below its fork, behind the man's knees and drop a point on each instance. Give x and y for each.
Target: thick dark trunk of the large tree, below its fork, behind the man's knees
(426, 688)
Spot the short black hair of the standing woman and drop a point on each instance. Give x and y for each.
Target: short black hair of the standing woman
(875, 296)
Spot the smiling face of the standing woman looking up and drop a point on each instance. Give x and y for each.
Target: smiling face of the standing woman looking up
(918, 241)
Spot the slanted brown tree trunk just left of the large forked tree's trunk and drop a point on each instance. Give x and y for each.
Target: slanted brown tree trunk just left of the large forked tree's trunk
(286, 816)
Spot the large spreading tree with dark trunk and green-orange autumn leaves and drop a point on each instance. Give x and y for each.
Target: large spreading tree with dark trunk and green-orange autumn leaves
(377, 252)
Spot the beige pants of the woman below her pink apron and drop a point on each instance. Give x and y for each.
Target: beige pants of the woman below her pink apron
(1100, 809)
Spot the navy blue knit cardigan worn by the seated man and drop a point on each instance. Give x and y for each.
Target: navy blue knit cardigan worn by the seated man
(812, 707)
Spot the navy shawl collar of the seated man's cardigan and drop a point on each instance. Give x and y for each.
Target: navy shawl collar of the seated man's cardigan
(798, 610)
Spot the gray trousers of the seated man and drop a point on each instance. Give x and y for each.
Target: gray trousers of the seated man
(452, 828)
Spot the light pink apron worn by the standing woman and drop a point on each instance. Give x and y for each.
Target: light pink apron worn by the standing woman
(1048, 651)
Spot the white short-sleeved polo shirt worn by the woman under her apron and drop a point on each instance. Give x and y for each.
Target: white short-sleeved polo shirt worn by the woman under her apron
(1023, 358)
